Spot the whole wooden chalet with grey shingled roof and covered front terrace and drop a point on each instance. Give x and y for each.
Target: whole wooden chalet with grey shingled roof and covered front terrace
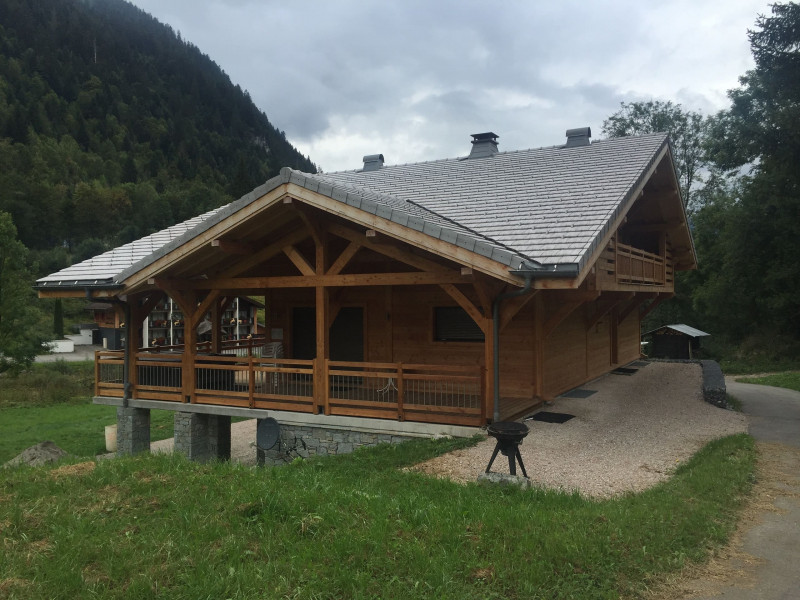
(457, 291)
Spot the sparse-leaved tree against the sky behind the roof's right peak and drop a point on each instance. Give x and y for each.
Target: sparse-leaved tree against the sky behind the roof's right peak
(687, 130)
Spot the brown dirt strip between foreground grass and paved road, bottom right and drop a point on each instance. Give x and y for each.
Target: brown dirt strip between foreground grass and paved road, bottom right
(731, 565)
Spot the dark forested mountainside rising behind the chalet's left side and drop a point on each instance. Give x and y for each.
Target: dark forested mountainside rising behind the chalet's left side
(112, 127)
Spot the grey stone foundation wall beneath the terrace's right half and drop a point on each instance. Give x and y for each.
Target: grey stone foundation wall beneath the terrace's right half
(305, 441)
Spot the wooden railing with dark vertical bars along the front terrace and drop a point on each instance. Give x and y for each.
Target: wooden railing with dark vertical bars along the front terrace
(424, 393)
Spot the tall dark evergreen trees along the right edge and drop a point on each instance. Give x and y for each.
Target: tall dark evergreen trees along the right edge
(760, 133)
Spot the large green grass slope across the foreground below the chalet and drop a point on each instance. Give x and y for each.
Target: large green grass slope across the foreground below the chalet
(353, 526)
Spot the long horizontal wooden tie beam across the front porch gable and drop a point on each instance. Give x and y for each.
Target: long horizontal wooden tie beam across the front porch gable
(299, 281)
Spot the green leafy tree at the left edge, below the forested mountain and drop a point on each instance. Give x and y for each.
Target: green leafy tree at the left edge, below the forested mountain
(21, 334)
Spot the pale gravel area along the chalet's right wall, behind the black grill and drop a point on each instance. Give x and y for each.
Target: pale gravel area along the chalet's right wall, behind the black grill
(626, 437)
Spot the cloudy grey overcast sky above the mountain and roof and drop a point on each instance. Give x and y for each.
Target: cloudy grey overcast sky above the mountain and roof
(412, 79)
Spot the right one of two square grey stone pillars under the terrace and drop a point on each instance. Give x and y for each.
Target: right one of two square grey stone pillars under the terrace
(203, 437)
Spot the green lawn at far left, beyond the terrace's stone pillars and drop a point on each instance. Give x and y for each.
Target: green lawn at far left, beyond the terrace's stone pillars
(52, 402)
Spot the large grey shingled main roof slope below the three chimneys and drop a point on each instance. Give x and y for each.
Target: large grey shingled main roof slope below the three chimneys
(550, 205)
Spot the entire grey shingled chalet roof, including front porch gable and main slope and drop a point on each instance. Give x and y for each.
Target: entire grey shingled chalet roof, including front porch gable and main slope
(546, 206)
